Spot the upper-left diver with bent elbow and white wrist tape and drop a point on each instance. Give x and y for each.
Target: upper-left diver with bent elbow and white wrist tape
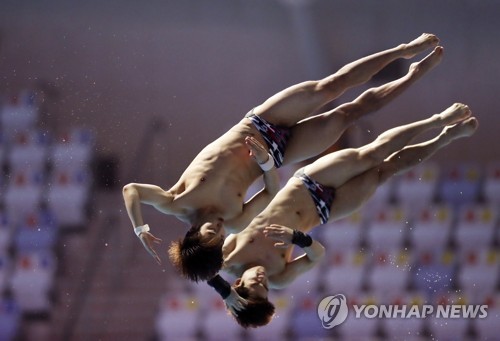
(209, 195)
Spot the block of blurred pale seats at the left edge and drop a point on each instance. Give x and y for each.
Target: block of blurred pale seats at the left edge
(42, 184)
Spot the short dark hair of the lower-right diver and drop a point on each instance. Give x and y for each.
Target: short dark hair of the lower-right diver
(258, 312)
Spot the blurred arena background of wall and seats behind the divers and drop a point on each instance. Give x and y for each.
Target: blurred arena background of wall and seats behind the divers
(95, 95)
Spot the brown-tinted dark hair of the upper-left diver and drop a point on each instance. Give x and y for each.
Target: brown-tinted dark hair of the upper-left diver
(196, 258)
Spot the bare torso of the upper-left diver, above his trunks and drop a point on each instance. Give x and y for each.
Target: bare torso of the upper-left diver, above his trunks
(218, 177)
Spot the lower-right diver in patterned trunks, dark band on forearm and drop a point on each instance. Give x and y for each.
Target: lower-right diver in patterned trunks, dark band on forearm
(326, 190)
